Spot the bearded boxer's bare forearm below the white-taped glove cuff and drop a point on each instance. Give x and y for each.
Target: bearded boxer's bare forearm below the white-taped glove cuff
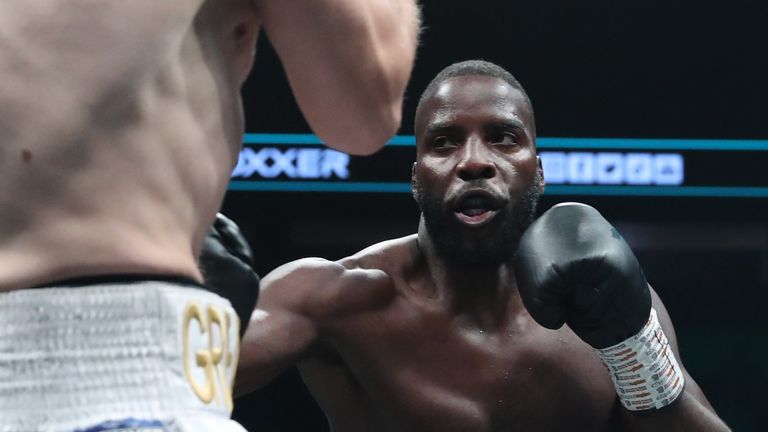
(688, 414)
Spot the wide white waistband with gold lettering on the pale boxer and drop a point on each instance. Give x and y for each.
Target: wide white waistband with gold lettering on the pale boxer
(73, 357)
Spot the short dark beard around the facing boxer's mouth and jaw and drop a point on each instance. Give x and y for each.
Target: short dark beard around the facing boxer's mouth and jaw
(448, 243)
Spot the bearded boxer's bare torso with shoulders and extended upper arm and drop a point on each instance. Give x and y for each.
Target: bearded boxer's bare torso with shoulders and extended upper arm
(387, 351)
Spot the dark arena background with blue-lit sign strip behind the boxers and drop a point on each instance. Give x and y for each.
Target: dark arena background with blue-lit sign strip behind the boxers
(654, 112)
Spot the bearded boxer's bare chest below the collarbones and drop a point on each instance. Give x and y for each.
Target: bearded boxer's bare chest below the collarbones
(429, 372)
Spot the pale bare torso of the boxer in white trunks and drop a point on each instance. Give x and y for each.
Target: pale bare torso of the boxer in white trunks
(121, 122)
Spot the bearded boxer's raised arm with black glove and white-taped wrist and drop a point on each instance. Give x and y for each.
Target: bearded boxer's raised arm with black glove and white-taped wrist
(573, 267)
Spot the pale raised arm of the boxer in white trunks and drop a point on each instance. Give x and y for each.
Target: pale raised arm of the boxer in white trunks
(348, 62)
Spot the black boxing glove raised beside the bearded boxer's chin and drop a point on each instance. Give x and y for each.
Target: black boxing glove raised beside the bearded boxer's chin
(573, 267)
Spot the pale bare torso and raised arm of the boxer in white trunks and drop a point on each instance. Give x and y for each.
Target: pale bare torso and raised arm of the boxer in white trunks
(121, 121)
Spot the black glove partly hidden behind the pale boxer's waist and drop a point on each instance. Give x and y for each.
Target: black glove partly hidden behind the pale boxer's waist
(226, 261)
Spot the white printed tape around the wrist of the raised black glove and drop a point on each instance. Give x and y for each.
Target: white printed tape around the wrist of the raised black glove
(644, 369)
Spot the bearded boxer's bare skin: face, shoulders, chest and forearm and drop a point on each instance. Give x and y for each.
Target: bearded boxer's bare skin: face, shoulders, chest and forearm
(397, 338)
